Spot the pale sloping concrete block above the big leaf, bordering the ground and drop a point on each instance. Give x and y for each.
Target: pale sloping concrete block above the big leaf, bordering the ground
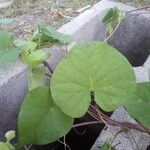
(88, 26)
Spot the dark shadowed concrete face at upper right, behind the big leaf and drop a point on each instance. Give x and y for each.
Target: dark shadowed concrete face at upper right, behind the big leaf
(132, 38)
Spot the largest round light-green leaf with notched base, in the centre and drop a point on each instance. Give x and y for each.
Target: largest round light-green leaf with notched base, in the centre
(94, 67)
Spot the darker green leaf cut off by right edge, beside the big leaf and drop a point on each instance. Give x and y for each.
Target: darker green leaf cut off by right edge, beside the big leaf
(140, 107)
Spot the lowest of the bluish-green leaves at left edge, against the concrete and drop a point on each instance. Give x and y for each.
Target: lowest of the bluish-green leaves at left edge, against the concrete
(8, 56)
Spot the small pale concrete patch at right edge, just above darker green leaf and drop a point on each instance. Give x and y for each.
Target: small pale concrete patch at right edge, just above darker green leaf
(142, 74)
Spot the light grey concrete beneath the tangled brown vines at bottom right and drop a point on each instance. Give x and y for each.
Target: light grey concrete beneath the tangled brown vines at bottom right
(131, 140)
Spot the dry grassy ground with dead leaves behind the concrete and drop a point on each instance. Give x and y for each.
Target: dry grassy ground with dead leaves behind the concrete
(51, 12)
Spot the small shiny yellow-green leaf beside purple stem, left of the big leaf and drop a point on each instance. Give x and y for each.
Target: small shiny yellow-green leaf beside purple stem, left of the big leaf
(34, 58)
